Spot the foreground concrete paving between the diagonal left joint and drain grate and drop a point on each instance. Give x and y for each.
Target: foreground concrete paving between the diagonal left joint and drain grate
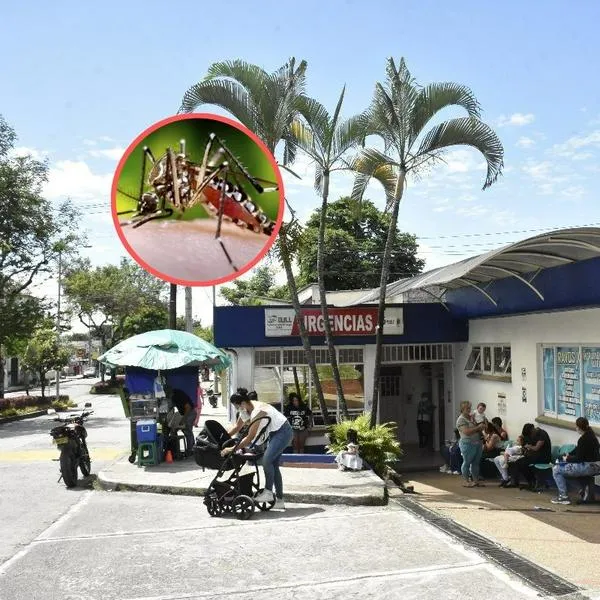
(125, 545)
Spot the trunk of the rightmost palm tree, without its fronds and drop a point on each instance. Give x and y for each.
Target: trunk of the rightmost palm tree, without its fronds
(385, 272)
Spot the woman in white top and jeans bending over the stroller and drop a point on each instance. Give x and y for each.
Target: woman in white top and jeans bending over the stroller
(279, 434)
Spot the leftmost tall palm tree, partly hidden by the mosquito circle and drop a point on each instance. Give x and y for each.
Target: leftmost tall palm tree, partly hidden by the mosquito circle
(266, 103)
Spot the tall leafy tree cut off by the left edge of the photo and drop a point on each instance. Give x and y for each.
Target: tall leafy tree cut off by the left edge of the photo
(32, 232)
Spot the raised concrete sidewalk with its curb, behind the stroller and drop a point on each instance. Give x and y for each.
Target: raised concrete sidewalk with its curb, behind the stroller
(301, 485)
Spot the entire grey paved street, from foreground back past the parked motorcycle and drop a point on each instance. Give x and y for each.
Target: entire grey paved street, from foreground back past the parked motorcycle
(85, 544)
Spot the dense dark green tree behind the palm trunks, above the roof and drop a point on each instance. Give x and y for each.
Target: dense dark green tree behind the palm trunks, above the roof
(354, 238)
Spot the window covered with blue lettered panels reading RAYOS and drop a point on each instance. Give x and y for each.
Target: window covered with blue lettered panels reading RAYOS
(571, 381)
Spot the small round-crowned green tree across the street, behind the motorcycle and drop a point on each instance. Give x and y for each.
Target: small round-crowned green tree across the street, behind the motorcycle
(44, 353)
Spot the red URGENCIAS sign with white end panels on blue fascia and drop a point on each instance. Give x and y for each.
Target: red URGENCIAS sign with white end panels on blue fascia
(282, 322)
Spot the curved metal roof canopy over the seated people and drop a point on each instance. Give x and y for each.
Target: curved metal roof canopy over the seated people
(522, 260)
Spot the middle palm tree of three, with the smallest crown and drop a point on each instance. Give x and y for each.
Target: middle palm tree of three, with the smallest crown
(327, 140)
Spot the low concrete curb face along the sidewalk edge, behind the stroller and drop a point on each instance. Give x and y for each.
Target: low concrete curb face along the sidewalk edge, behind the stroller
(109, 485)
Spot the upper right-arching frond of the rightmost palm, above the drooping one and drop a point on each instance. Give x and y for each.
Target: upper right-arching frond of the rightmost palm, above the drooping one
(437, 96)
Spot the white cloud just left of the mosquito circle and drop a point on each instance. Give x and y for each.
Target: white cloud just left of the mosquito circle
(75, 179)
